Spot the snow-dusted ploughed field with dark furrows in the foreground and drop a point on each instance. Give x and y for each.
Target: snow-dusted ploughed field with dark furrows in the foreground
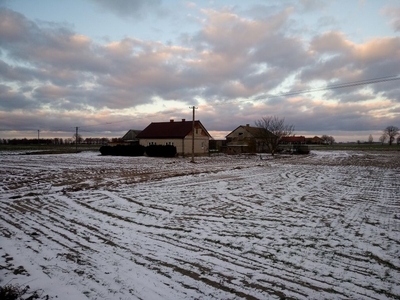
(84, 226)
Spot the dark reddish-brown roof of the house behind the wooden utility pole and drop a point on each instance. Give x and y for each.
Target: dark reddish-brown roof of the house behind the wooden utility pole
(171, 129)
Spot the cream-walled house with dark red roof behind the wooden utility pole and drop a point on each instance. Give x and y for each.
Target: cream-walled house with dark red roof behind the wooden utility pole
(178, 134)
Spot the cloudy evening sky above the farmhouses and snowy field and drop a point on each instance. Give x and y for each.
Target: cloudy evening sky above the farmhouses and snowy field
(109, 66)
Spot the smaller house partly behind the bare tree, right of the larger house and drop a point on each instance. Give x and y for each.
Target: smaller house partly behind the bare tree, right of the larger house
(246, 139)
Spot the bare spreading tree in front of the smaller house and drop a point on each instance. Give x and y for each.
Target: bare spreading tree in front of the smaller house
(272, 129)
